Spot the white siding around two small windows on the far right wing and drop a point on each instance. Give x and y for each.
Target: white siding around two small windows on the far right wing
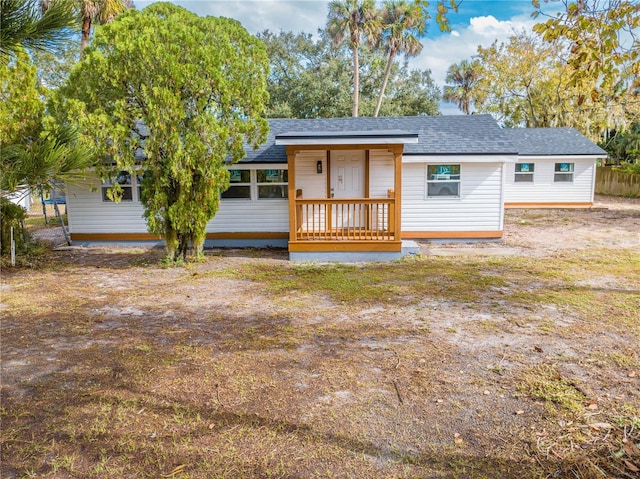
(544, 189)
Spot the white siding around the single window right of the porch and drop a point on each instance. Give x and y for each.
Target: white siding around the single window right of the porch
(479, 207)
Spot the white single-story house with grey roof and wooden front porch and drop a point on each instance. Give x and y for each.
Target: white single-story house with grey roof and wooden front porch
(349, 188)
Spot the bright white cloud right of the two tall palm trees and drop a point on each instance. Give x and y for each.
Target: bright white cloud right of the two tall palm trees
(462, 43)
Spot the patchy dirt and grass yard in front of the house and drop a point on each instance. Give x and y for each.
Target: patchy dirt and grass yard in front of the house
(493, 360)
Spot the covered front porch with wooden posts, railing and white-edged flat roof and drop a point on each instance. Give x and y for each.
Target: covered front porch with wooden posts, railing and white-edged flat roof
(345, 191)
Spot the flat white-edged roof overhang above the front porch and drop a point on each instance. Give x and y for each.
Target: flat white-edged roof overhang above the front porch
(380, 137)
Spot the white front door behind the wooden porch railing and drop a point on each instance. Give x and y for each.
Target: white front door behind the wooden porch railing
(347, 181)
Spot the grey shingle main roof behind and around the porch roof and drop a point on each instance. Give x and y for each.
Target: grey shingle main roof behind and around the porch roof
(437, 135)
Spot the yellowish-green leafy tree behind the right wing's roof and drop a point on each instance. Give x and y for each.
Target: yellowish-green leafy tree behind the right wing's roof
(542, 94)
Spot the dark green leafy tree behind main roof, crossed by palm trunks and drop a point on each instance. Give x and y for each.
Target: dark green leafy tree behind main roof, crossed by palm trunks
(310, 78)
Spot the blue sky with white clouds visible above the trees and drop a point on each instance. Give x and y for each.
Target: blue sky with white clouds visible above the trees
(478, 22)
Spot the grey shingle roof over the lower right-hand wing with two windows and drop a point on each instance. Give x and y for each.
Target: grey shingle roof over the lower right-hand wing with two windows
(552, 142)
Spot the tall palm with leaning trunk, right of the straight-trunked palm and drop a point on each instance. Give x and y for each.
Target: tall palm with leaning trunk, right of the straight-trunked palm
(403, 23)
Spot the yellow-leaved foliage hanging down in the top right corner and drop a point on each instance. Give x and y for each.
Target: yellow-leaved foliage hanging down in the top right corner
(602, 58)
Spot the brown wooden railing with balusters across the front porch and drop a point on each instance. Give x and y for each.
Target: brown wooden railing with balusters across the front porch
(354, 219)
